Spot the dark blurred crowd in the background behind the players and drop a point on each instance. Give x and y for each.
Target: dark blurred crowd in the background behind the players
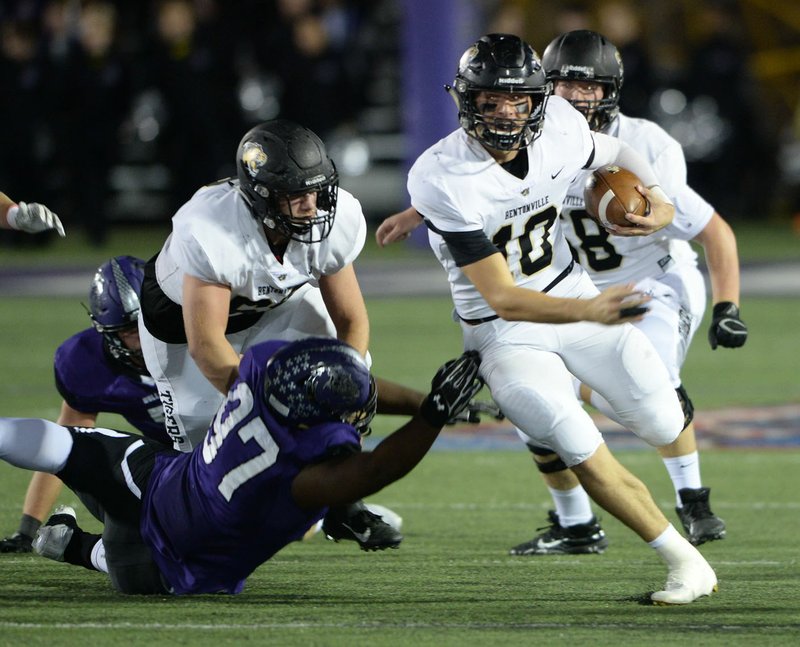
(117, 111)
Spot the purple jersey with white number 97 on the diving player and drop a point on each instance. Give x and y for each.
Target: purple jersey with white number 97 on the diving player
(212, 516)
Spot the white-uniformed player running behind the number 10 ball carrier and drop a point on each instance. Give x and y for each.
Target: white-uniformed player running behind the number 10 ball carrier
(587, 70)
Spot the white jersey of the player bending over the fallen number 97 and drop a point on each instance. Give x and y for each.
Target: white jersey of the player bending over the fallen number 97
(216, 239)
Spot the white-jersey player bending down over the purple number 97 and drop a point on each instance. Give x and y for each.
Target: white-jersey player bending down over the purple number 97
(266, 255)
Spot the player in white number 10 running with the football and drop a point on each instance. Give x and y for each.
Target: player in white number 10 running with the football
(491, 193)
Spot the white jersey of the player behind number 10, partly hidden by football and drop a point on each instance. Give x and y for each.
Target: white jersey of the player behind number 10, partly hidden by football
(617, 259)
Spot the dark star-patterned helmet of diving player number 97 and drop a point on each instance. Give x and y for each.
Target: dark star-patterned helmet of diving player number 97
(318, 380)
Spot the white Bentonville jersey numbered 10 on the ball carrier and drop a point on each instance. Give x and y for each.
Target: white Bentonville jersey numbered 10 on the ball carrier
(458, 187)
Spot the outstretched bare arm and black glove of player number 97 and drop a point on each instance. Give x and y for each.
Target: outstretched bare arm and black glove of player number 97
(349, 478)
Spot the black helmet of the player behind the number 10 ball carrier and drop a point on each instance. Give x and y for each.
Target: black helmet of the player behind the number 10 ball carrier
(584, 55)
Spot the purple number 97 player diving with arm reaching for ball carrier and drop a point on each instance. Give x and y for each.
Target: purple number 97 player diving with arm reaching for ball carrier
(283, 446)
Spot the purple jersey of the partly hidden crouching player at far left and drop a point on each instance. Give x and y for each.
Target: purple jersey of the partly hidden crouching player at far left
(91, 381)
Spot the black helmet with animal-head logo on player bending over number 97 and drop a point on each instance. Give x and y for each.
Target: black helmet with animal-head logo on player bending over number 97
(277, 160)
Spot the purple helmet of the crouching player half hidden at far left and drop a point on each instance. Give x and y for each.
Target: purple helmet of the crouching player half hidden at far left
(114, 306)
